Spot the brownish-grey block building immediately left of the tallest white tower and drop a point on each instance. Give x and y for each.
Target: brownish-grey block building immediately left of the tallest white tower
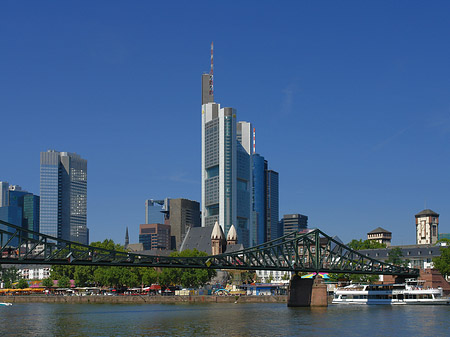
(183, 214)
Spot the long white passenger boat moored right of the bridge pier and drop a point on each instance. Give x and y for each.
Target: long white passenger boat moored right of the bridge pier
(410, 292)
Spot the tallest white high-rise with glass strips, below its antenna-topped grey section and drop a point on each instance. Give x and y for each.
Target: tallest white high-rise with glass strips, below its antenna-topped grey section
(226, 170)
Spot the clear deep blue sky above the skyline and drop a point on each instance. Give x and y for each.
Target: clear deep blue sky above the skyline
(350, 101)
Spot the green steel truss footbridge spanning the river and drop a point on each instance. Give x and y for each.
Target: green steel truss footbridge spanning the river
(295, 252)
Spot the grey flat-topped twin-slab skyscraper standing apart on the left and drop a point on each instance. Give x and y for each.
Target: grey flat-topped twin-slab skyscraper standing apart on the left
(63, 201)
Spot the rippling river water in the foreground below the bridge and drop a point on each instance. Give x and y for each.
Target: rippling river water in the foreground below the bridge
(221, 319)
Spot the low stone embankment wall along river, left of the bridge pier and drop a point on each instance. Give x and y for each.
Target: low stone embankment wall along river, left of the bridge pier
(143, 299)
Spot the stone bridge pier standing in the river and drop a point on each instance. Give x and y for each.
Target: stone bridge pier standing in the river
(307, 292)
